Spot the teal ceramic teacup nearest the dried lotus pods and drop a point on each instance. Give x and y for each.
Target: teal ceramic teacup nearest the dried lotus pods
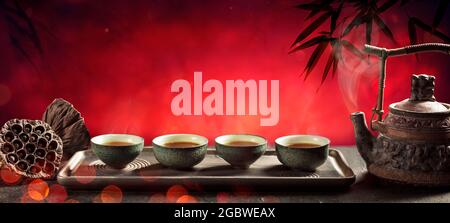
(117, 150)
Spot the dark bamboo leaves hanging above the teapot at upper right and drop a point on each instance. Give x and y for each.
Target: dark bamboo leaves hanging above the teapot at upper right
(368, 13)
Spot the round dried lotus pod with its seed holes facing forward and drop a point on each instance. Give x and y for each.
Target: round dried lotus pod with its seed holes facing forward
(30, 148)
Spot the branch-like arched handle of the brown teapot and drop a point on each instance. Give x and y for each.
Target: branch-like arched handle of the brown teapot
(383, 54)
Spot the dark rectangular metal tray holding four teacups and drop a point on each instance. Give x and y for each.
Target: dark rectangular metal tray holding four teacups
(85, 171)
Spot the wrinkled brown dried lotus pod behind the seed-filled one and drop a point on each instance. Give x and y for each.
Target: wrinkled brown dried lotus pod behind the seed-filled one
(67, 122)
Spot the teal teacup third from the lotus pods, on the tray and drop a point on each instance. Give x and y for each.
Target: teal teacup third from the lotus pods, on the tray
(240, 150)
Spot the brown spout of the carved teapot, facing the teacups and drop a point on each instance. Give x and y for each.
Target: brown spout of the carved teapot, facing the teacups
(364, 139)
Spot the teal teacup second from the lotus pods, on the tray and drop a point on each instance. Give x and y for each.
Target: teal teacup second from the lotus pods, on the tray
(180, 151)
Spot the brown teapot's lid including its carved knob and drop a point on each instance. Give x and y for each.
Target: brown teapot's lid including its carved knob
(422, 98)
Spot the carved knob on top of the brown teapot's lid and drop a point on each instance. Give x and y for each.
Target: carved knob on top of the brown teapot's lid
(422, 88)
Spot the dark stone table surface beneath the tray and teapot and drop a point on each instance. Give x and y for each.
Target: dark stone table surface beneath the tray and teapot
(366, 189)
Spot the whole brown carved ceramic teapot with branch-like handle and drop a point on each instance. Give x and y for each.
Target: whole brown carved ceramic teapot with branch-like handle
(413, 145)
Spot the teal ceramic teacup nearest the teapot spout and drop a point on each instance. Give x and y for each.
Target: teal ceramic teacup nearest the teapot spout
(302, 152)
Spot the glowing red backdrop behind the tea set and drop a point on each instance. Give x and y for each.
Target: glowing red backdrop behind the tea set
(116, 60)
